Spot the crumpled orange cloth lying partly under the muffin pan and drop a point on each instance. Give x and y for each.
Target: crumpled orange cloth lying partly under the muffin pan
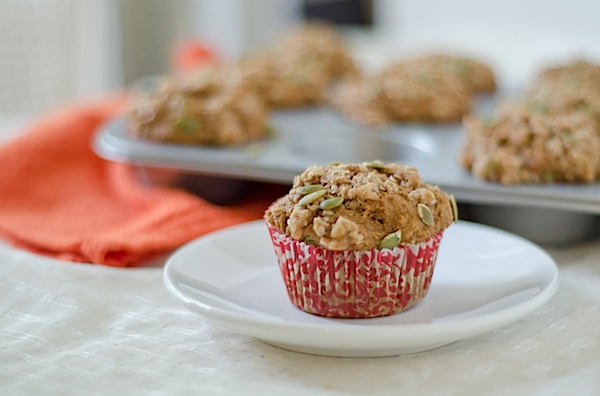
(58, 198)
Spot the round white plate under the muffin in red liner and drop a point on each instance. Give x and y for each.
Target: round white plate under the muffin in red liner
(484, 278)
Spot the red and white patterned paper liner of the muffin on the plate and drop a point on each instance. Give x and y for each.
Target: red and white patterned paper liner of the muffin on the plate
(355, 283)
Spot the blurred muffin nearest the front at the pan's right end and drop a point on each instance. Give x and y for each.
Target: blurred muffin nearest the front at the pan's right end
(521, 146)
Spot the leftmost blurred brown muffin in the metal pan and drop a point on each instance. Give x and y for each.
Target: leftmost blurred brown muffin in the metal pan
(215, 107)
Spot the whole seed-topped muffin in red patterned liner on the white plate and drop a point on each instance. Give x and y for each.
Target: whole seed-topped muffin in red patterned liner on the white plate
(358, 240)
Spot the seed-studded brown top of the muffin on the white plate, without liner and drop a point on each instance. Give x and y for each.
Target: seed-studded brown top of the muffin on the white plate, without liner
(361, 207)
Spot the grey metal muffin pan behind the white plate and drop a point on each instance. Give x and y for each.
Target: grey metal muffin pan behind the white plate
(553, 214)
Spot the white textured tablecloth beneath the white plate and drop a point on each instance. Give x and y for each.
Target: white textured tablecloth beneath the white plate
(84, 329)
